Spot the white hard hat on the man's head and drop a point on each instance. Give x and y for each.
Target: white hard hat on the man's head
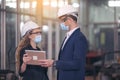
(67, 9)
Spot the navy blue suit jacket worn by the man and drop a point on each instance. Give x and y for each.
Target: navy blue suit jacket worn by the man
(71, 60)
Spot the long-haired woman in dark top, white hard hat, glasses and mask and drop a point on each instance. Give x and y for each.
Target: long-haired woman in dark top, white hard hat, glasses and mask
(31, 35)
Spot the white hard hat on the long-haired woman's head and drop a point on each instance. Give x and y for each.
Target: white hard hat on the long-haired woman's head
(29, 25)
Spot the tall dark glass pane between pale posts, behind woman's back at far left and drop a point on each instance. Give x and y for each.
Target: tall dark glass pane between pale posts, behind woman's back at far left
(10, 40)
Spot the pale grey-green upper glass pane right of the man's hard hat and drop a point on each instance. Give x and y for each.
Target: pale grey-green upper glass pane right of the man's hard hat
(100, 11)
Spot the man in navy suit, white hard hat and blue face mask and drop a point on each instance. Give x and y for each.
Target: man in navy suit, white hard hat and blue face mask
(71, 61)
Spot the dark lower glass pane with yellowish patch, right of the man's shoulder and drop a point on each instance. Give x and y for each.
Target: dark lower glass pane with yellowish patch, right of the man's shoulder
(103, 37)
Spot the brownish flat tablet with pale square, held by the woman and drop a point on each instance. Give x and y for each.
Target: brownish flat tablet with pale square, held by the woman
(35, 55)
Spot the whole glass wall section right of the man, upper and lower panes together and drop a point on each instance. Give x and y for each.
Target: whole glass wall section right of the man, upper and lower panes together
(103, 20)
